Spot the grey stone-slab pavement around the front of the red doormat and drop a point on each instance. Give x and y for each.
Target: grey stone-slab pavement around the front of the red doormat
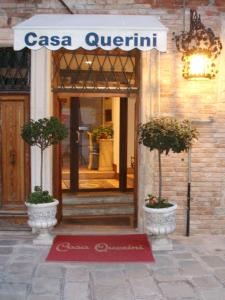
(194, 270)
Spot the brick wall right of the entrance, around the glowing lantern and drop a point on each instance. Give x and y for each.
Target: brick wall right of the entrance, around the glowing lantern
(199, 101)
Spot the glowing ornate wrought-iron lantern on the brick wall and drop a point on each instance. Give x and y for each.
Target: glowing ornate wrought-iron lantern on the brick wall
(200, 48)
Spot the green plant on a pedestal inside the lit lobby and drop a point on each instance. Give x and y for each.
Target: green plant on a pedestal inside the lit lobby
(103, 136)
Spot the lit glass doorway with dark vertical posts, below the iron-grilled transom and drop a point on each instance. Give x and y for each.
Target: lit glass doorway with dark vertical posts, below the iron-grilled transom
(98, 154)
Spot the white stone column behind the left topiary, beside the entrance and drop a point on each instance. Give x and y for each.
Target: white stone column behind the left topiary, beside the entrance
(41, 106)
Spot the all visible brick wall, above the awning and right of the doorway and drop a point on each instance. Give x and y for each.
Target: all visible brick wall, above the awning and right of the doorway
(203, 101)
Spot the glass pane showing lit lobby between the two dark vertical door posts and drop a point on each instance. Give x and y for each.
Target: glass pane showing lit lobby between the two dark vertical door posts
(96, 169)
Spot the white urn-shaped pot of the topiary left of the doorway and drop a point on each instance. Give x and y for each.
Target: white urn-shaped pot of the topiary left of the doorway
(41, 217)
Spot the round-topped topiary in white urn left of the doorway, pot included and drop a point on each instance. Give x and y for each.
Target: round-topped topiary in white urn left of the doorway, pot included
(40, 204)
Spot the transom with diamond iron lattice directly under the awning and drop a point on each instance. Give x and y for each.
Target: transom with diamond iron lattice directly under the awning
(95, 71)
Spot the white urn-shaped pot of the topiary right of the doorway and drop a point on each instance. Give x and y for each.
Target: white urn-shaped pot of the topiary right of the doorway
(159, 223)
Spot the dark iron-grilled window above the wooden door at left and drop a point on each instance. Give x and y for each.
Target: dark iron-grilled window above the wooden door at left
(14, 69)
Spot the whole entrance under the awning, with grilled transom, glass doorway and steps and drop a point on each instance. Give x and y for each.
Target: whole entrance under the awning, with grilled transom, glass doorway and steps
(95, 95)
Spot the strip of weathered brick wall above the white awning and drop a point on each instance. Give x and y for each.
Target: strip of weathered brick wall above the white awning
(15, 10)
